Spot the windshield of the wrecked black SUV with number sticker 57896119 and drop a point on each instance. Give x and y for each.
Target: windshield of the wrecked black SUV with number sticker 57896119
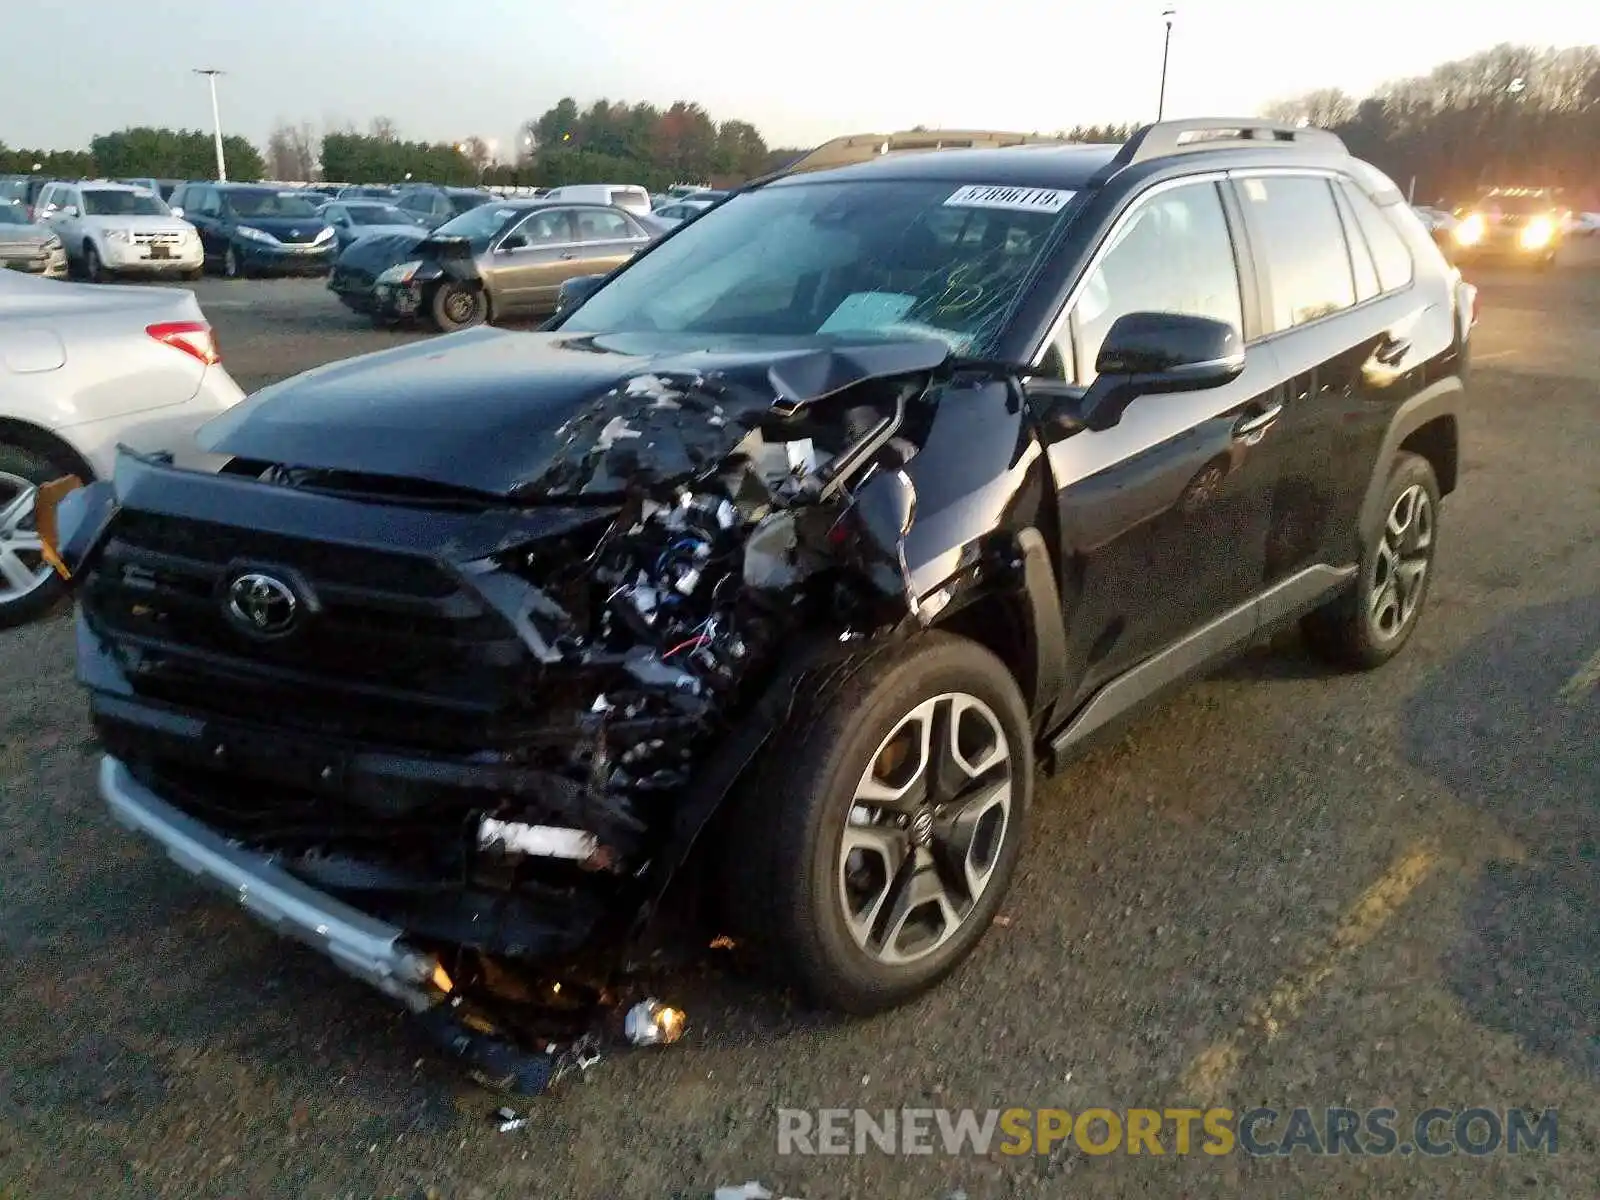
(890, 258)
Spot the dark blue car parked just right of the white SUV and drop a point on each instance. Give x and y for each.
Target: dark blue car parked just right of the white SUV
(250, 230)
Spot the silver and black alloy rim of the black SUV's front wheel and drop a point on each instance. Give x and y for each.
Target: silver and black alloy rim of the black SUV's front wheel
(926, 830)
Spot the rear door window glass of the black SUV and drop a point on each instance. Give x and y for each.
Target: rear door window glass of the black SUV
(1302, 249)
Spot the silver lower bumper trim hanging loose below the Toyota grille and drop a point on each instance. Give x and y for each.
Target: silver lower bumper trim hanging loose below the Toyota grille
(359, 945)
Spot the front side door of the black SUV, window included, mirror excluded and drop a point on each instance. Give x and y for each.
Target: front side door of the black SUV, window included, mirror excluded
(1164, 518)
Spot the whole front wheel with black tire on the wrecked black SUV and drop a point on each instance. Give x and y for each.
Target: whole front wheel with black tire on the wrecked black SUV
(874, 844)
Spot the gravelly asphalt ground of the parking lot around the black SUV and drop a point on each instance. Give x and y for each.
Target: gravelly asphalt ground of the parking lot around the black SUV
(1286, 887)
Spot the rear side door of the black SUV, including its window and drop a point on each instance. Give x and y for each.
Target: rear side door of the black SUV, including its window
(1343, 342)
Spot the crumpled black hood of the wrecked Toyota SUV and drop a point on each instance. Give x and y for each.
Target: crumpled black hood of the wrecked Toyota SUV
(546, 415)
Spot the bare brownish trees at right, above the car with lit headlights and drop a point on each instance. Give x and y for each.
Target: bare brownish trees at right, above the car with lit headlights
(1508, 118)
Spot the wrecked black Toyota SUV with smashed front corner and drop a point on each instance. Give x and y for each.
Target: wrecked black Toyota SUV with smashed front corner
(780, 559)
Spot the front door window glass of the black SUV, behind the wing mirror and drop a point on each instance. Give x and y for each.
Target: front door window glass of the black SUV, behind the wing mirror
(1175, 255)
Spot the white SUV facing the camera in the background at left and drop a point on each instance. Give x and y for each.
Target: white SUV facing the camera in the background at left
(118, 230)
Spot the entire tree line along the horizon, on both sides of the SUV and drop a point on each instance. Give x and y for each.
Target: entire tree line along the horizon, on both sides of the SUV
(1508, 116)
